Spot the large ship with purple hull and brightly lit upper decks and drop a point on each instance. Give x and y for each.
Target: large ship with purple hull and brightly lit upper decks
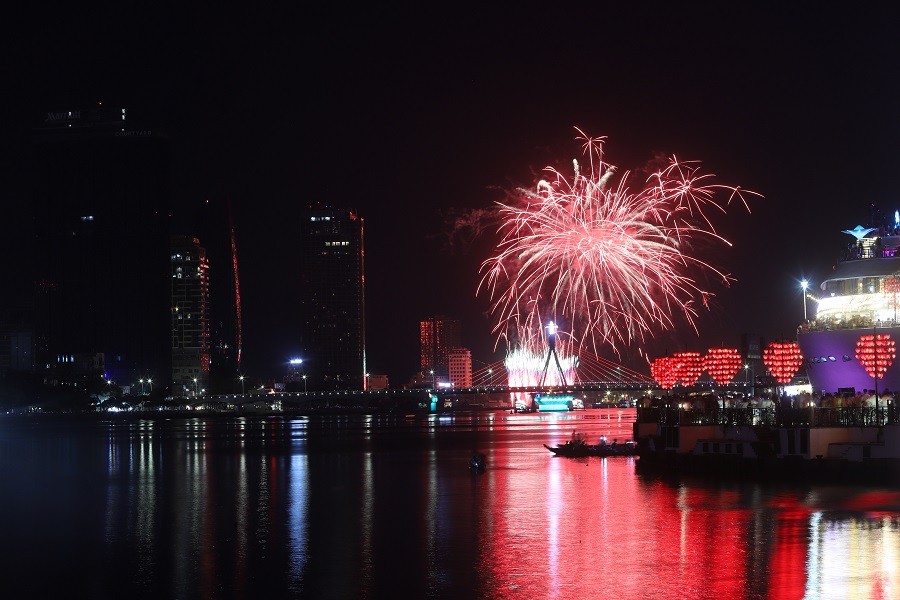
(858, 305)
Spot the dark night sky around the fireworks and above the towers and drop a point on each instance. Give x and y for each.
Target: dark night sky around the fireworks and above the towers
(404, 113)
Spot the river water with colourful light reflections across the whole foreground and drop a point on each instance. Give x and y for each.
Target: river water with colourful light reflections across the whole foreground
(386, 507)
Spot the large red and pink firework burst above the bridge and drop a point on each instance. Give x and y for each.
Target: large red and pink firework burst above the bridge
(613, 263)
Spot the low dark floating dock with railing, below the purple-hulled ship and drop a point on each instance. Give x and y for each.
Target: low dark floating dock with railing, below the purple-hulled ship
(852, 444)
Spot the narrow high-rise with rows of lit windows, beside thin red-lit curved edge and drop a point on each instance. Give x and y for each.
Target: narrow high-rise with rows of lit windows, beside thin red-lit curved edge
(190, 317)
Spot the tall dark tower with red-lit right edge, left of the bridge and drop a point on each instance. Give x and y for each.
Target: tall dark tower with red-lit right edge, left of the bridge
(332, 299)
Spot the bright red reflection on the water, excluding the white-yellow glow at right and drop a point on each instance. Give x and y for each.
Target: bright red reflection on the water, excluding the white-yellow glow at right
(576, 527)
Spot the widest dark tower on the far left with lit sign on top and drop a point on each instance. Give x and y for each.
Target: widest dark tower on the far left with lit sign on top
(100, 194)
